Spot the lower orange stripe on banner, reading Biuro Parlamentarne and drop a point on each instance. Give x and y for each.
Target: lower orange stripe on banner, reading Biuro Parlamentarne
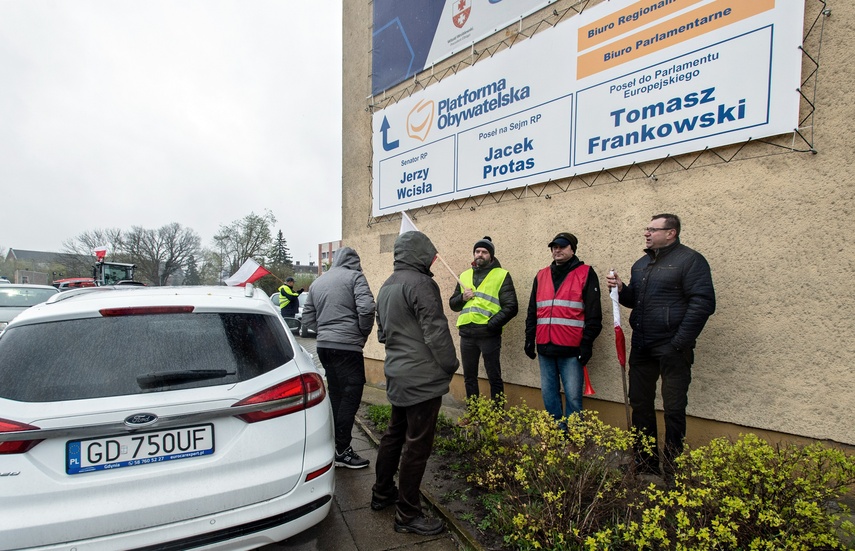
(696, 23)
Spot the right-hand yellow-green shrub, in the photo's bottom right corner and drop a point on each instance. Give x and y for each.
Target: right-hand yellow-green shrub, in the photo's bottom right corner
(745, 494)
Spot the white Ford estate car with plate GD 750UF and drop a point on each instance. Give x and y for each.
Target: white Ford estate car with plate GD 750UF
(159, 418)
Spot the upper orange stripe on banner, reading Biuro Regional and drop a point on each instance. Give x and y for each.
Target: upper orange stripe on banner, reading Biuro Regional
(628, 19)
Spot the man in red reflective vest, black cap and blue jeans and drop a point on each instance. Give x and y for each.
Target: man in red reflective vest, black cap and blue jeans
(564, 318)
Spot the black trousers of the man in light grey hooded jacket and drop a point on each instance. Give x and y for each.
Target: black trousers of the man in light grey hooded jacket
(345, 383)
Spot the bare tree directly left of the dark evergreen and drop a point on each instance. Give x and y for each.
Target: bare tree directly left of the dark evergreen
(248, 237)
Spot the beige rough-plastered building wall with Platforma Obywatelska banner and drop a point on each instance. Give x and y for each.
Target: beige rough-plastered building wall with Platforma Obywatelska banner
(488, 142)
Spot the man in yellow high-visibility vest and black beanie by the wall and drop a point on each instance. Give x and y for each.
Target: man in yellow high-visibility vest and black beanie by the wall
(487, 301)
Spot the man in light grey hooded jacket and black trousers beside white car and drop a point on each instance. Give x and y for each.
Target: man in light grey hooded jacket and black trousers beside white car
(341, 306)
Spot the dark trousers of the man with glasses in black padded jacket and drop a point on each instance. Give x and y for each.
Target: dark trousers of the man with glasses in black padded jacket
(646, 366)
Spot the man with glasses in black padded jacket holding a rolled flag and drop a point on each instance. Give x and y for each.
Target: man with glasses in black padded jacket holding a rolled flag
(671, 295)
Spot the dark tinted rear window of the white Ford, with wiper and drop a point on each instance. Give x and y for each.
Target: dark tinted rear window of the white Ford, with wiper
(124, 355)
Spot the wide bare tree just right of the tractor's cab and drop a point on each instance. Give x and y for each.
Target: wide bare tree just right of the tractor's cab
(162, 253)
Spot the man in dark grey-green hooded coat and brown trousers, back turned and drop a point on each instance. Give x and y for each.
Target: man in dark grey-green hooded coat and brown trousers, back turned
(420, 362)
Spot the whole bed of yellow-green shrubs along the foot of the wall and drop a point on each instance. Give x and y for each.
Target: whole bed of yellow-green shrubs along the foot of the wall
(550, 489)
